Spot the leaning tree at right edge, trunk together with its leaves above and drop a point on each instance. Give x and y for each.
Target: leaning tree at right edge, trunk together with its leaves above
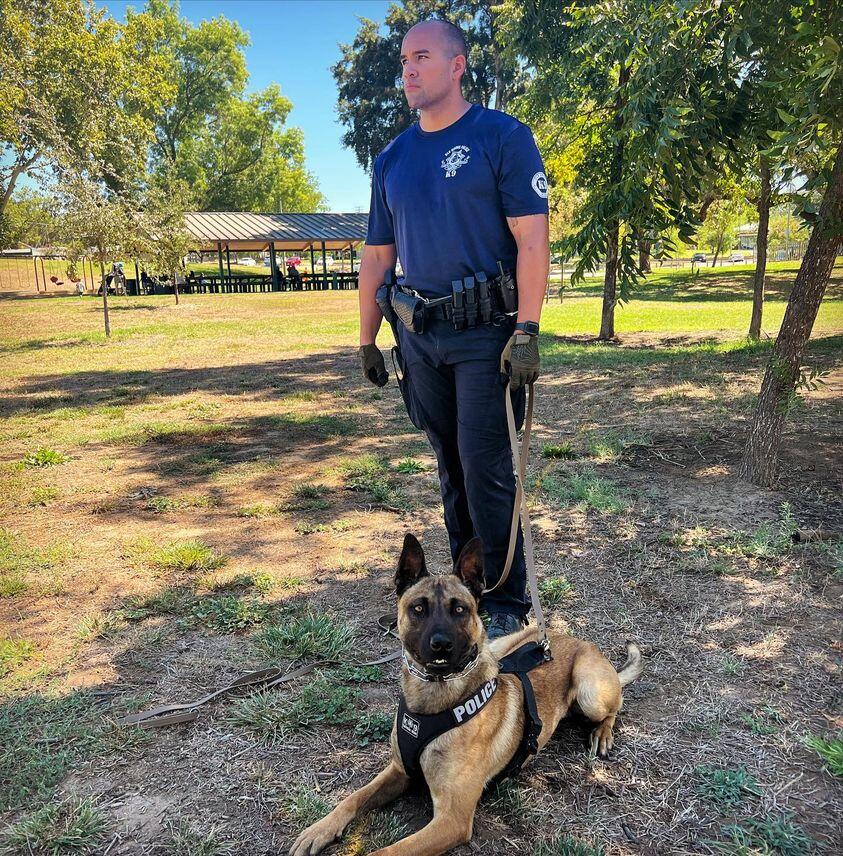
(802, 44)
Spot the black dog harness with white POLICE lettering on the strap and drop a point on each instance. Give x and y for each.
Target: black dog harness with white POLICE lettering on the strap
(416, 730)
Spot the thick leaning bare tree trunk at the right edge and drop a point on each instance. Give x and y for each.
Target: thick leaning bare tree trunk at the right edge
(760, 460)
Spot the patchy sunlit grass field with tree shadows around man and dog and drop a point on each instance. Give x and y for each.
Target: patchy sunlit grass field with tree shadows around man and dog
(215, 489)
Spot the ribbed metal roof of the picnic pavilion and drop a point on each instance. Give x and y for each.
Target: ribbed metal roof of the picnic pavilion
(239, 230)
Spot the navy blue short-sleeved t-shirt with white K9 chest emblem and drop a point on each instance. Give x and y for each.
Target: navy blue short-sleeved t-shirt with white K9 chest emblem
(442, 197)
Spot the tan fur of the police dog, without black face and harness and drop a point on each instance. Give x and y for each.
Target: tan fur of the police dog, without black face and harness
(458, 765)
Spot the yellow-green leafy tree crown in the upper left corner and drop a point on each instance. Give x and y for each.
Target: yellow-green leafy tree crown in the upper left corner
(74, 81)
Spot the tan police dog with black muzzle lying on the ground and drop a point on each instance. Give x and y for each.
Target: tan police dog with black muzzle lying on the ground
(441, 632)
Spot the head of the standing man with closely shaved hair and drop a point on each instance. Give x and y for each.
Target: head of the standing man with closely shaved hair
(433, 56)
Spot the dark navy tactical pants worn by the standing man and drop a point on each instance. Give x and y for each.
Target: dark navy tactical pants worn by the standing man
(453, 391)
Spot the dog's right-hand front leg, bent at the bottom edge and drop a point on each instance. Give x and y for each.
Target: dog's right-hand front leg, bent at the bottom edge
(454, 804)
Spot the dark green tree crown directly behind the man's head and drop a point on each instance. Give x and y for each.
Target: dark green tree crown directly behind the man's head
(370, 101)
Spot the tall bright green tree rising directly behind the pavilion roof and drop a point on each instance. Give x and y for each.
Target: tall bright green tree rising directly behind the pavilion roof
(233, 150)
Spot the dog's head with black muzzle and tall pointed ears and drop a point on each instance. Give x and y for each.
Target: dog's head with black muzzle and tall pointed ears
(438, 622)
